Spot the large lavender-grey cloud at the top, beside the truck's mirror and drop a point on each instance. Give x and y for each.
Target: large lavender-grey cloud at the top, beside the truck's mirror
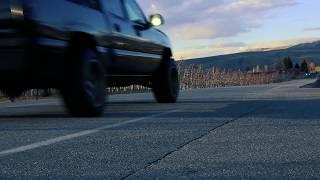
(208, 19)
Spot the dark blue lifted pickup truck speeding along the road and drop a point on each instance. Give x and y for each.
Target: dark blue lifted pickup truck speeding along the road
(81, 47)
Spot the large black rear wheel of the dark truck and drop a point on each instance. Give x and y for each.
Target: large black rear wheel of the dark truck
(84, 90)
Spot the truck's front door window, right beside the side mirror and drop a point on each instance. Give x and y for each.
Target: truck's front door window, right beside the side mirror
(134, 12)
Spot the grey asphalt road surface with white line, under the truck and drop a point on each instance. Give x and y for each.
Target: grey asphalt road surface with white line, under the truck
(265, 131)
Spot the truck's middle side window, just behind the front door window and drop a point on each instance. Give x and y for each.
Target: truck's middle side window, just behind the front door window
(114, 7)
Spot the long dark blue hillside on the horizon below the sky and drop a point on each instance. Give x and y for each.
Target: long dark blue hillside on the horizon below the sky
(248, 60)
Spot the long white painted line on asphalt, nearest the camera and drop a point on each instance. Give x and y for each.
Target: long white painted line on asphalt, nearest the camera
(76, 135)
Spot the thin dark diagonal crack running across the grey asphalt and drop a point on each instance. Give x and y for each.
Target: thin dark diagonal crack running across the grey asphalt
(193, 140)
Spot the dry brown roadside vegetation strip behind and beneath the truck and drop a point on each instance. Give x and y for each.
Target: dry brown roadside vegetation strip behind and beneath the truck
(192, 77)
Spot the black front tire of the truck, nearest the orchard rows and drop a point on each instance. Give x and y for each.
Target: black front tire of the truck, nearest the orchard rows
(165, 85)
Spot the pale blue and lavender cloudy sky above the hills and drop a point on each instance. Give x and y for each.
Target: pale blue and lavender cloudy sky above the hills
(201, 28)
